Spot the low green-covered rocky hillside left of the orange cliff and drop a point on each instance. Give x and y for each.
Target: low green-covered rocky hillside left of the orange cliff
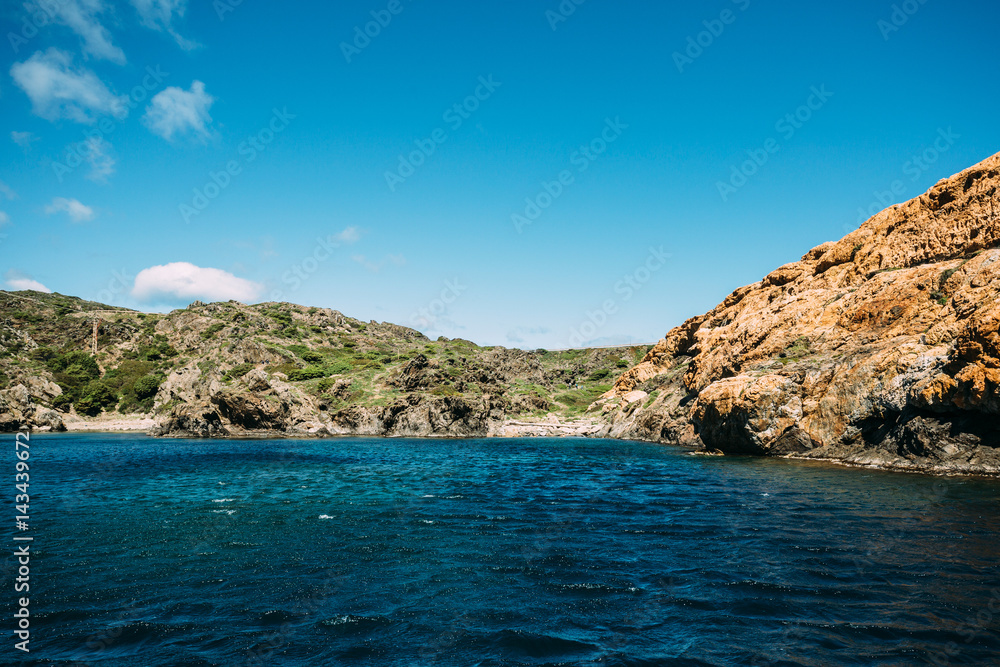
(229, 369)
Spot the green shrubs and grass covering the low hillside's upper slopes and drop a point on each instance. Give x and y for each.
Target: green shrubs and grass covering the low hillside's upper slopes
(347, 362)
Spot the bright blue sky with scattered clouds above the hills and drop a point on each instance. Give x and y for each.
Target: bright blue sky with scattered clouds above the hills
(544, 173)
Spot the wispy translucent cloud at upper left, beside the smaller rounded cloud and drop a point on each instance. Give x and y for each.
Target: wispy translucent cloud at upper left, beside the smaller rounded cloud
(58, 90)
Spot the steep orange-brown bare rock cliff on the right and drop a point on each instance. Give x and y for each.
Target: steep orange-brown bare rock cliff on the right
(879, 349)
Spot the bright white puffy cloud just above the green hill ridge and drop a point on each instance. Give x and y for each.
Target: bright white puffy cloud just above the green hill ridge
(184, 281)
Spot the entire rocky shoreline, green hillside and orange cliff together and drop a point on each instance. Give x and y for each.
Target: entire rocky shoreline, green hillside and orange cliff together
(880, 349)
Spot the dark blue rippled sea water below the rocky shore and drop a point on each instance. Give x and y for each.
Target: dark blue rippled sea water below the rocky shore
(496, 552)
